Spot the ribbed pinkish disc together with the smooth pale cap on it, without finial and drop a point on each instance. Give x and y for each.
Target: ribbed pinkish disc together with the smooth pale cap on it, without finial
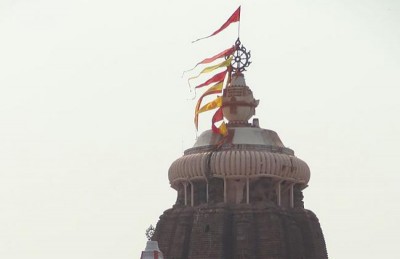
(248, 152)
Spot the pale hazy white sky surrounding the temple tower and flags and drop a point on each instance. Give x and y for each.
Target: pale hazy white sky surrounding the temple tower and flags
(93, 110)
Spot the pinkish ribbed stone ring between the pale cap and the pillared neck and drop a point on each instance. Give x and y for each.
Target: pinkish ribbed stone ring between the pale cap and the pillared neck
(238, 164)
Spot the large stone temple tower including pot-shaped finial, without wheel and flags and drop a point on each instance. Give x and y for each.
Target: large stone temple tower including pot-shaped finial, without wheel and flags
(239, 197)
